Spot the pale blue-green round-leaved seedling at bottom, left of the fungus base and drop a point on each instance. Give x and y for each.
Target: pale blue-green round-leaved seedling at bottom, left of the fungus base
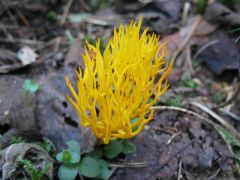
(90, 166)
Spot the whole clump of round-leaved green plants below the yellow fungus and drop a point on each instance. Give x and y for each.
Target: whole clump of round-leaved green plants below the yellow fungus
(91, 165)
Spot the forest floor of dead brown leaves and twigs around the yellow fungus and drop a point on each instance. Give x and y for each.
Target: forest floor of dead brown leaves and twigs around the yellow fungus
(195, 131)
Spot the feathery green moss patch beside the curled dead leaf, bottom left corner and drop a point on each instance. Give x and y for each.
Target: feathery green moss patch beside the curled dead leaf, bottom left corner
(35, 173)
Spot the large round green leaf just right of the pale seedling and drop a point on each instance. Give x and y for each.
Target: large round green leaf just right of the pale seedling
(89, 167)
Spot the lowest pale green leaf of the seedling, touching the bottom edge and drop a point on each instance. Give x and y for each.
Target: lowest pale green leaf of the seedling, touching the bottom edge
(67, 172)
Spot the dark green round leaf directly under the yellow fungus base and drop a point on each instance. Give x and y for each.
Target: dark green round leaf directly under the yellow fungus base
(113, 149)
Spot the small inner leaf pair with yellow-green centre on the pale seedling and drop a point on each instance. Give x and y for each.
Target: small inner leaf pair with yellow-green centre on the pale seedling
(68, 157)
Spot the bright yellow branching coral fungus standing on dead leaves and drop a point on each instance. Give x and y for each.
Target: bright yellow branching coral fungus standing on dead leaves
(113, 91)
